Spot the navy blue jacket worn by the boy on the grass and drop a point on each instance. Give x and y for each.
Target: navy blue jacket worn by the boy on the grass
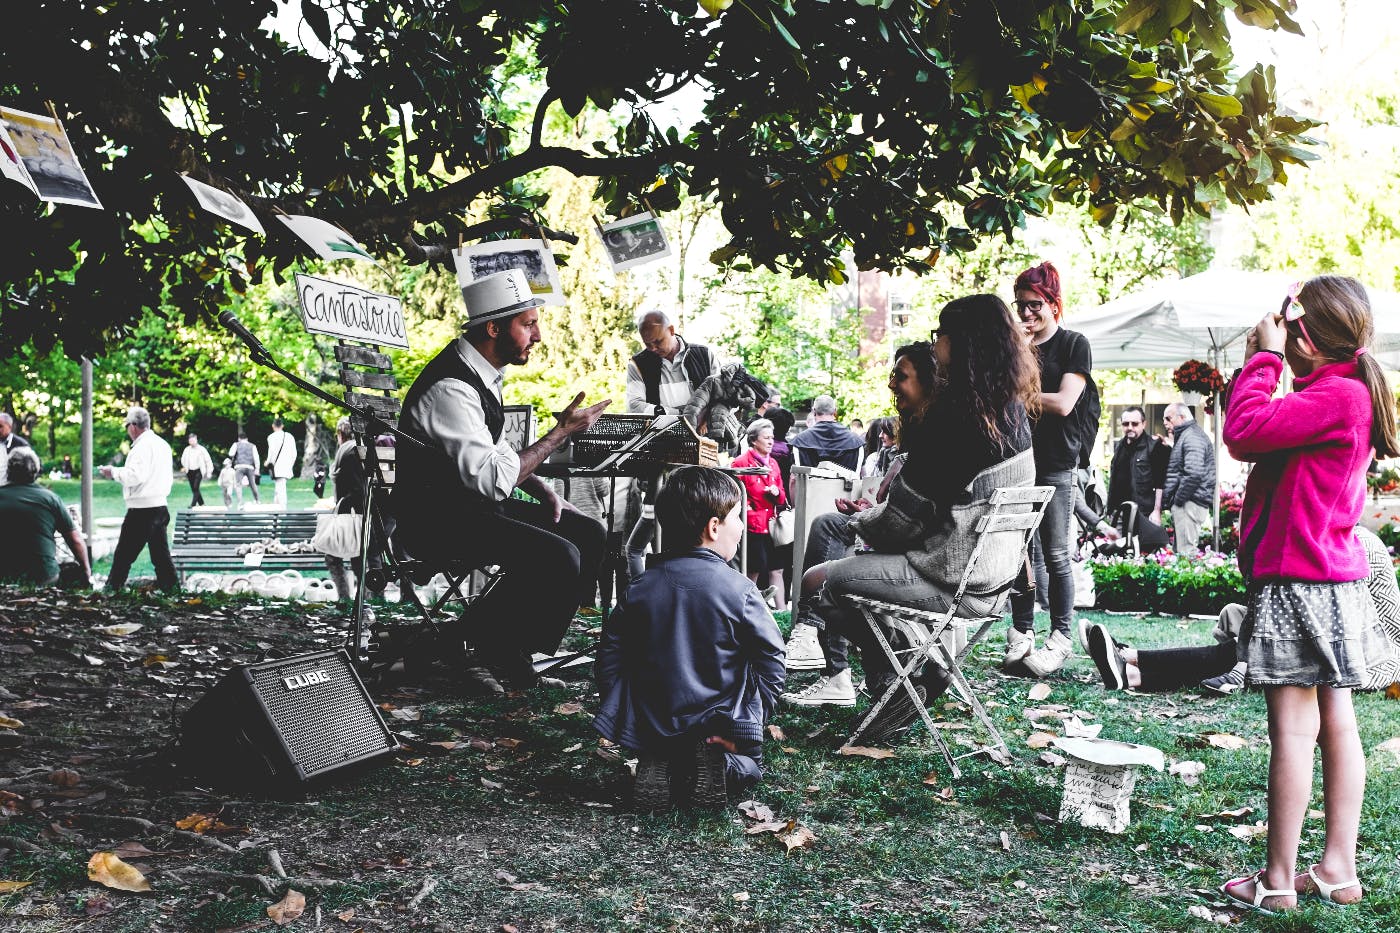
(691, 648)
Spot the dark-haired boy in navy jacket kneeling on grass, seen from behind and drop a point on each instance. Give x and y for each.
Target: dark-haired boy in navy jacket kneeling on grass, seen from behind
(691, 662)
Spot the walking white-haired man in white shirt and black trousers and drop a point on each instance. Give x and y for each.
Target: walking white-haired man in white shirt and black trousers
(146, 487)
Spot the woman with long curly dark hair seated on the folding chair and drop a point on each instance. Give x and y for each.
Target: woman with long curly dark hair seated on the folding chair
(971, 438)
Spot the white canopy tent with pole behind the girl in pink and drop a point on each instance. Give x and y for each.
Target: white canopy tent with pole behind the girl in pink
(1207, 317)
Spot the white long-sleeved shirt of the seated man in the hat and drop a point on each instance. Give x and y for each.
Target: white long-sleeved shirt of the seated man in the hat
(451, 415)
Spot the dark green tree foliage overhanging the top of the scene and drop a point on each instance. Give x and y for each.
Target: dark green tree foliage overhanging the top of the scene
(825, 127)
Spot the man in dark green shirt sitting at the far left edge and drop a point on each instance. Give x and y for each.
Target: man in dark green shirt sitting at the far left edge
(30, 516)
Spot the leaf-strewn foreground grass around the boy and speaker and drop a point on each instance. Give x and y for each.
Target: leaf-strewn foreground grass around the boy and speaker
(527, 829)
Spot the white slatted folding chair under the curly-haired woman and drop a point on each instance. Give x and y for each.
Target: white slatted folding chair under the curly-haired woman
(940, 638)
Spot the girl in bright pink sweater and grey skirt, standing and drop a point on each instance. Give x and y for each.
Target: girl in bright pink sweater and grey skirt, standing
(1312, 630)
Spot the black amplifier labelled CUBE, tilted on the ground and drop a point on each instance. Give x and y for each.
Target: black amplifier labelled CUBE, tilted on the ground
(285, 725)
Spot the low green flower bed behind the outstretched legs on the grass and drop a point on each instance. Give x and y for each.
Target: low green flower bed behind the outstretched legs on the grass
(1167, 583)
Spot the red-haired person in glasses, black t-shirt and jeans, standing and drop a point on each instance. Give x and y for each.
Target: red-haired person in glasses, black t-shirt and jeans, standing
(1066, 364)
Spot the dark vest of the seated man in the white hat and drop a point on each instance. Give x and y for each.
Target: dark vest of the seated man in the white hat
(428, 480)
